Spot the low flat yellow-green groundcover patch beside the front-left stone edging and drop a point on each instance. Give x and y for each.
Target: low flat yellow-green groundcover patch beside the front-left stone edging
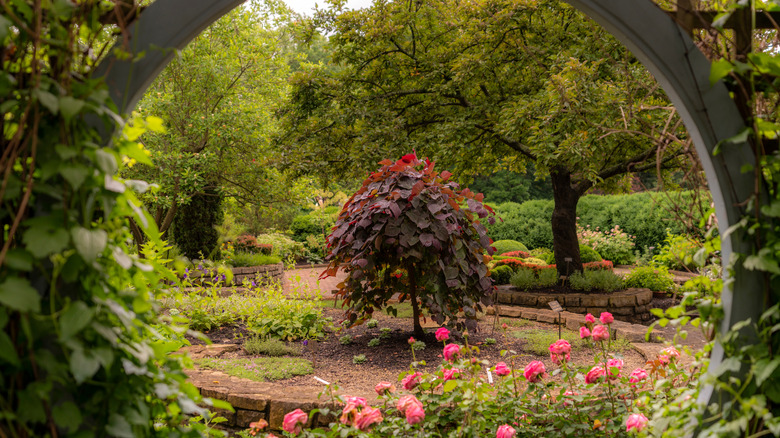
(259, 369)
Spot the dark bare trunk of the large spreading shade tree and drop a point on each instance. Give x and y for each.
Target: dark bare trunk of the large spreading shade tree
(564, 223)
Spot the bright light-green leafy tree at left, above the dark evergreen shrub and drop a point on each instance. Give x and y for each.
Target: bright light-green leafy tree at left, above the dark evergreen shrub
(215, 99)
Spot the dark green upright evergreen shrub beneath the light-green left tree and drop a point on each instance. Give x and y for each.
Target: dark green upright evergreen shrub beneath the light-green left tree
(194, 231)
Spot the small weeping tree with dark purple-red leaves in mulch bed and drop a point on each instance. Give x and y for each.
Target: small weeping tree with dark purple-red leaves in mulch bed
(408, 218)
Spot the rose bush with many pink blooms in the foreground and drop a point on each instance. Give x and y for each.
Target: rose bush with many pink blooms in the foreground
(459, 399)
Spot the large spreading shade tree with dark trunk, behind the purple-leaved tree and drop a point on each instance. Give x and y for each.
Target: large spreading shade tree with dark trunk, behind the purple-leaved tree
(478, 85)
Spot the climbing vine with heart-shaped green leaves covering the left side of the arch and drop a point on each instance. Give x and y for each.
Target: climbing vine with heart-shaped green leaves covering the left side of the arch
(84, 348)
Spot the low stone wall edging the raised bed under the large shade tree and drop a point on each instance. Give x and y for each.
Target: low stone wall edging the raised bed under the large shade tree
(631, 305)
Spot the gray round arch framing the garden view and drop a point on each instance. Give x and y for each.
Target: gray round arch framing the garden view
(668, 53)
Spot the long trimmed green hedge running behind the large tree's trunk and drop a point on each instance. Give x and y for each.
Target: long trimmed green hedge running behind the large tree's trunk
(643, 215)
